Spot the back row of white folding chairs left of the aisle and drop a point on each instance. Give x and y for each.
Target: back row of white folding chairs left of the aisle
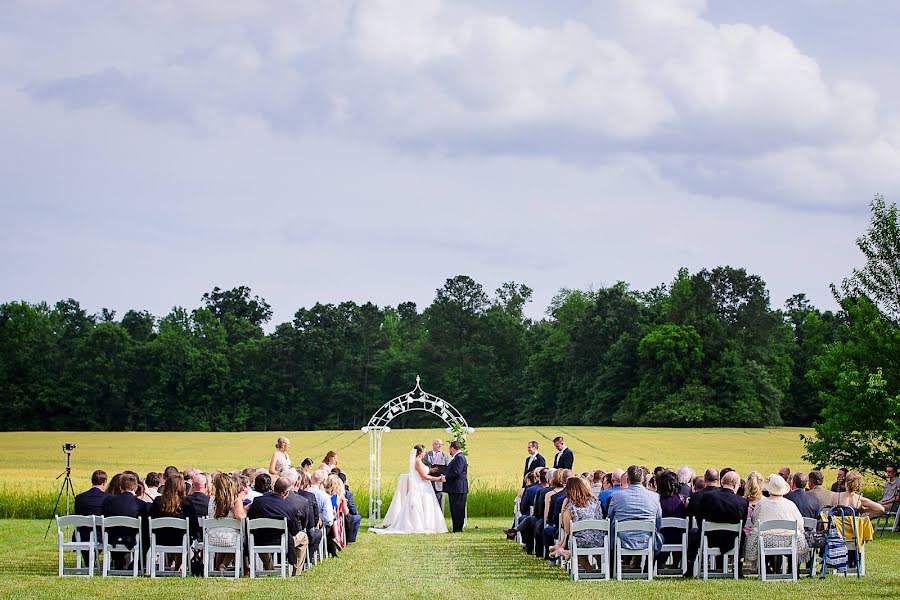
(88, 552)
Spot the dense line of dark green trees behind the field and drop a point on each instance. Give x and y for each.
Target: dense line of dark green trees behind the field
(706, 349)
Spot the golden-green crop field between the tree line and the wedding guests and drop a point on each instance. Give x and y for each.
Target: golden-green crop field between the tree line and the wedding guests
(29, 461)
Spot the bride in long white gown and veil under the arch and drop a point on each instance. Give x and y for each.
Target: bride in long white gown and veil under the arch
(415, 508)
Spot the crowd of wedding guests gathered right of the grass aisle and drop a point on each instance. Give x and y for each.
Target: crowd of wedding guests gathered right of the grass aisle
(551, 499)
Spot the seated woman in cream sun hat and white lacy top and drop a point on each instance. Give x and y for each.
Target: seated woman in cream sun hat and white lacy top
(775, 507)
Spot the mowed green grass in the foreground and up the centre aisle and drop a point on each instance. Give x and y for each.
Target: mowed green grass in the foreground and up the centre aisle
(479, 563)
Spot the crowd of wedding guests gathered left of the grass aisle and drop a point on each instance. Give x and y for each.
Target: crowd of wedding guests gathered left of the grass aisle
(315, 503)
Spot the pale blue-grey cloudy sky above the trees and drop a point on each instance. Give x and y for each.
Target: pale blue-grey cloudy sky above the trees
(367, 151)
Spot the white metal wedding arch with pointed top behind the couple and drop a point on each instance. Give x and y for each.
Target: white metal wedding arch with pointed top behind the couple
(417, 399)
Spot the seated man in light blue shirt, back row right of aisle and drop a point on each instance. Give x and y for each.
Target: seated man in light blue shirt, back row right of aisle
(635, 503)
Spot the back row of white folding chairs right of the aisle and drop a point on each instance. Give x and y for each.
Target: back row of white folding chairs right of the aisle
(707, 556)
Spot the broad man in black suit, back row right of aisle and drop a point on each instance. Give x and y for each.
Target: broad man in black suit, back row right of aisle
(716, 505)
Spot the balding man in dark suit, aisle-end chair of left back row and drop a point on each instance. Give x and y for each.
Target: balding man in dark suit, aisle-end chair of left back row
(275, 505)
